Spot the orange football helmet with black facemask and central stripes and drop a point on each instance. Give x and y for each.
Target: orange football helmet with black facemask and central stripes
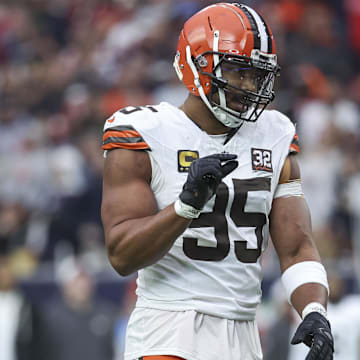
(223, 34)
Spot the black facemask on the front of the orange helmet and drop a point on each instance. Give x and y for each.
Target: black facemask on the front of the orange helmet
(250, 103)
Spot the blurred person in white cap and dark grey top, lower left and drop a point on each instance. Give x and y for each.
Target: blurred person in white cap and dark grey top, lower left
(77, 326)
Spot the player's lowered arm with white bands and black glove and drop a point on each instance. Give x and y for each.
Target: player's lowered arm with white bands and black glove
(304, 277)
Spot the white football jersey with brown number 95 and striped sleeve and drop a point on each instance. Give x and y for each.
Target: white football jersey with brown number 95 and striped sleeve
(214, 266)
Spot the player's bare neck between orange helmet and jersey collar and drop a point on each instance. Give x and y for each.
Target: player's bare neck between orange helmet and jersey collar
(197, 111)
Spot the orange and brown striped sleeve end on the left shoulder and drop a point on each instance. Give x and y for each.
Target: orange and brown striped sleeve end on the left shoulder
(125, 137)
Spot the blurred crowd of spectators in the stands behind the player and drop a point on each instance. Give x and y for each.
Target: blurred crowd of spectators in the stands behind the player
(66, 65)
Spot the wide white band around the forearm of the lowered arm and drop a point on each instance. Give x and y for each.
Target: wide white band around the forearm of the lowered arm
(302, 273)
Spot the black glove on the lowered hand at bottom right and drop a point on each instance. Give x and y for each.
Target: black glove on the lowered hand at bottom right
(315, 332)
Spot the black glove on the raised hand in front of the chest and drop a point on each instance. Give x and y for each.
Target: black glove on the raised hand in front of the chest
(205, 175)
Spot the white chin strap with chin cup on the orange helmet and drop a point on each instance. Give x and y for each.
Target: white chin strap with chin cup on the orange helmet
(225, 117)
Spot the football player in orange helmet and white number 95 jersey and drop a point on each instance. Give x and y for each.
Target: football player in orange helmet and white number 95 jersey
(191, 195)
